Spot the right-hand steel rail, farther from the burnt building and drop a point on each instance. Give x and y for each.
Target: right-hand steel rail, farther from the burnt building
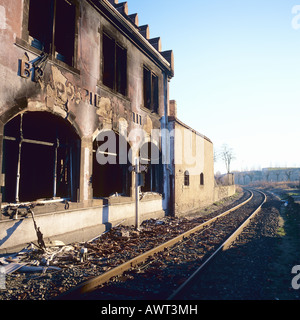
(224, 246)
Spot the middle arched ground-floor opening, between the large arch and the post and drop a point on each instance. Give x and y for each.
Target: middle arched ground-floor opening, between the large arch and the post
(112, 177)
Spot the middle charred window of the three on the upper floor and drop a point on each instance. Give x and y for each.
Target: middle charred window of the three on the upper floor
(114, 65)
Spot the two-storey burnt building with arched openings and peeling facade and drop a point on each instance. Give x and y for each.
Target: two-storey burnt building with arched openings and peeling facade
(84, 92)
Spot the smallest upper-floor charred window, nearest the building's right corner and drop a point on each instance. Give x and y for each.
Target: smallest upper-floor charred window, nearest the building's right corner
(150, 90)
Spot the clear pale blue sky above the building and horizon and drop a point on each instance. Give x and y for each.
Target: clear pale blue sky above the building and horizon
(237, 73)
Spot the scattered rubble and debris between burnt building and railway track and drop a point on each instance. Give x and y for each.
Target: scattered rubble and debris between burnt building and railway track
(44, 273)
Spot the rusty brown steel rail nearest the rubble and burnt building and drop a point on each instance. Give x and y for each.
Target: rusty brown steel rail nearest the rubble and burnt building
(91, 284)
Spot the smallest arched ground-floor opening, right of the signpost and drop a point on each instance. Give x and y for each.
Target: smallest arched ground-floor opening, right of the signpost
(151, 157)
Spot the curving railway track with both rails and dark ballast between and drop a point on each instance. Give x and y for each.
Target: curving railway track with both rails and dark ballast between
(163, 272)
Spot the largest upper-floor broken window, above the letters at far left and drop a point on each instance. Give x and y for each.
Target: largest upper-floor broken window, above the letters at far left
(51, 28)
